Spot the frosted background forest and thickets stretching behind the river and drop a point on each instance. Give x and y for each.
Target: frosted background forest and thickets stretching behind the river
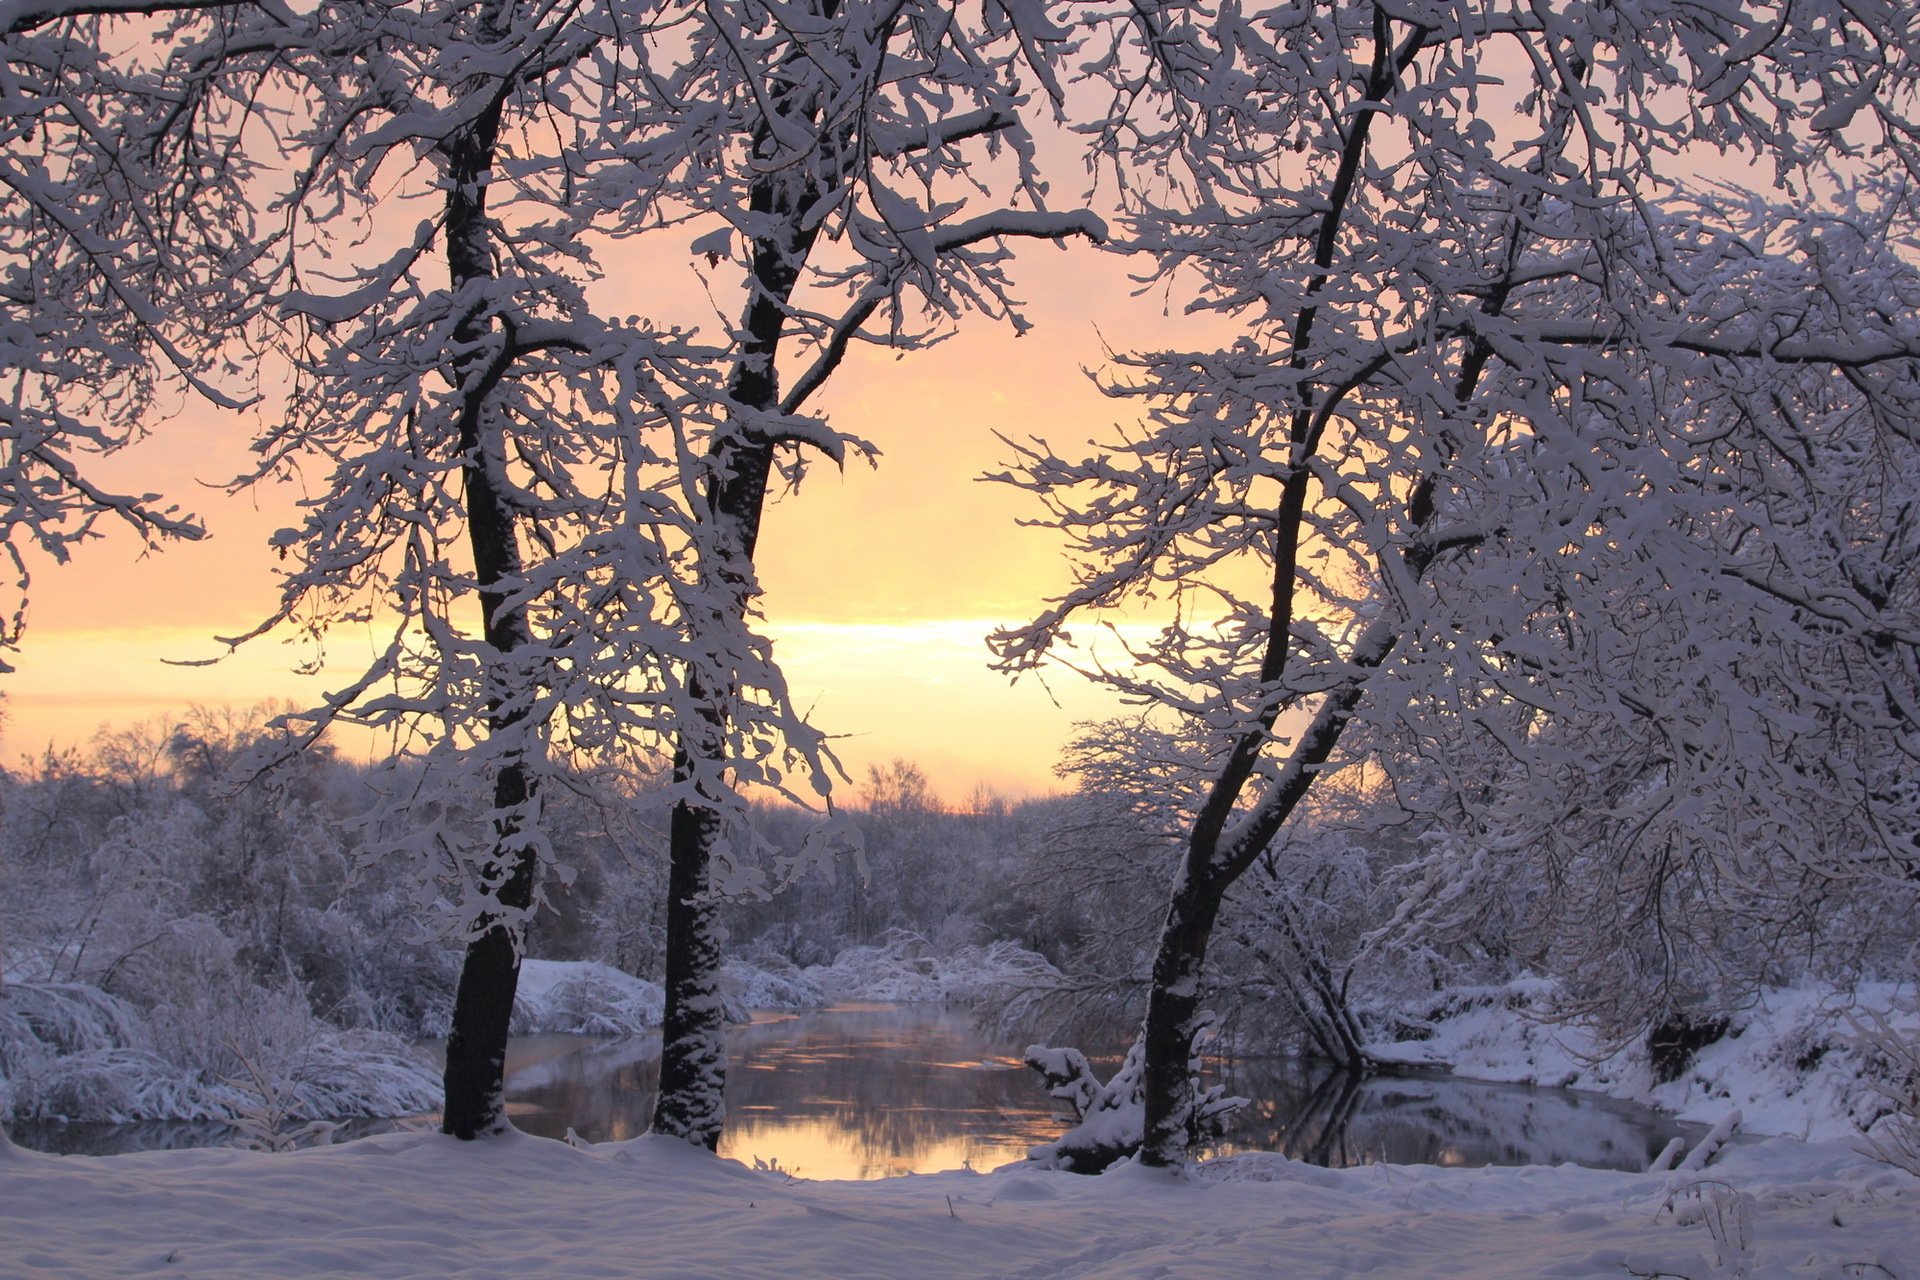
(191, 943)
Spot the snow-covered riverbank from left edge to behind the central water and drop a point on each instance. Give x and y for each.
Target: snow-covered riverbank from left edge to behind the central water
(74, 1053)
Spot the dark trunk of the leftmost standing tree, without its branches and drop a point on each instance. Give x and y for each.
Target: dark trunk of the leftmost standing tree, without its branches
(491, 970)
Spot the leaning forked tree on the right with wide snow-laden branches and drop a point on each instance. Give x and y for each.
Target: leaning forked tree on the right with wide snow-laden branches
(1524, 446)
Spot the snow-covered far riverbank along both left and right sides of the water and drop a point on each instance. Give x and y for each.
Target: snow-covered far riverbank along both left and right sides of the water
(1792, 1064)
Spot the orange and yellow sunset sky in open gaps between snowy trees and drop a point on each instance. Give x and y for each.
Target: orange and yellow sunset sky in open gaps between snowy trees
(880, 582)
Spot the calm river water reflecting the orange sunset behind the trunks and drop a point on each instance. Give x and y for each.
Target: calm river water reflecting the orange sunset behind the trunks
(882, 1091)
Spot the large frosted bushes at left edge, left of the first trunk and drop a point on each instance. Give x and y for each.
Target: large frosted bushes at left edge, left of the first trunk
(174, 928)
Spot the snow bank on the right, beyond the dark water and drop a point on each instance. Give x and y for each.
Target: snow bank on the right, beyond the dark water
(1792, 1066)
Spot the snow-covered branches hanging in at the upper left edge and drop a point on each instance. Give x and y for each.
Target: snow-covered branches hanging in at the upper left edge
(108, 220)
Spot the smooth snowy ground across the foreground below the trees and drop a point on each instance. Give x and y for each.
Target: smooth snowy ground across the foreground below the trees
(427, 1206)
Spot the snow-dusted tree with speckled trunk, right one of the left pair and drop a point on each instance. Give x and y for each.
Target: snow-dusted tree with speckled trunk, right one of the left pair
(875, 126)
